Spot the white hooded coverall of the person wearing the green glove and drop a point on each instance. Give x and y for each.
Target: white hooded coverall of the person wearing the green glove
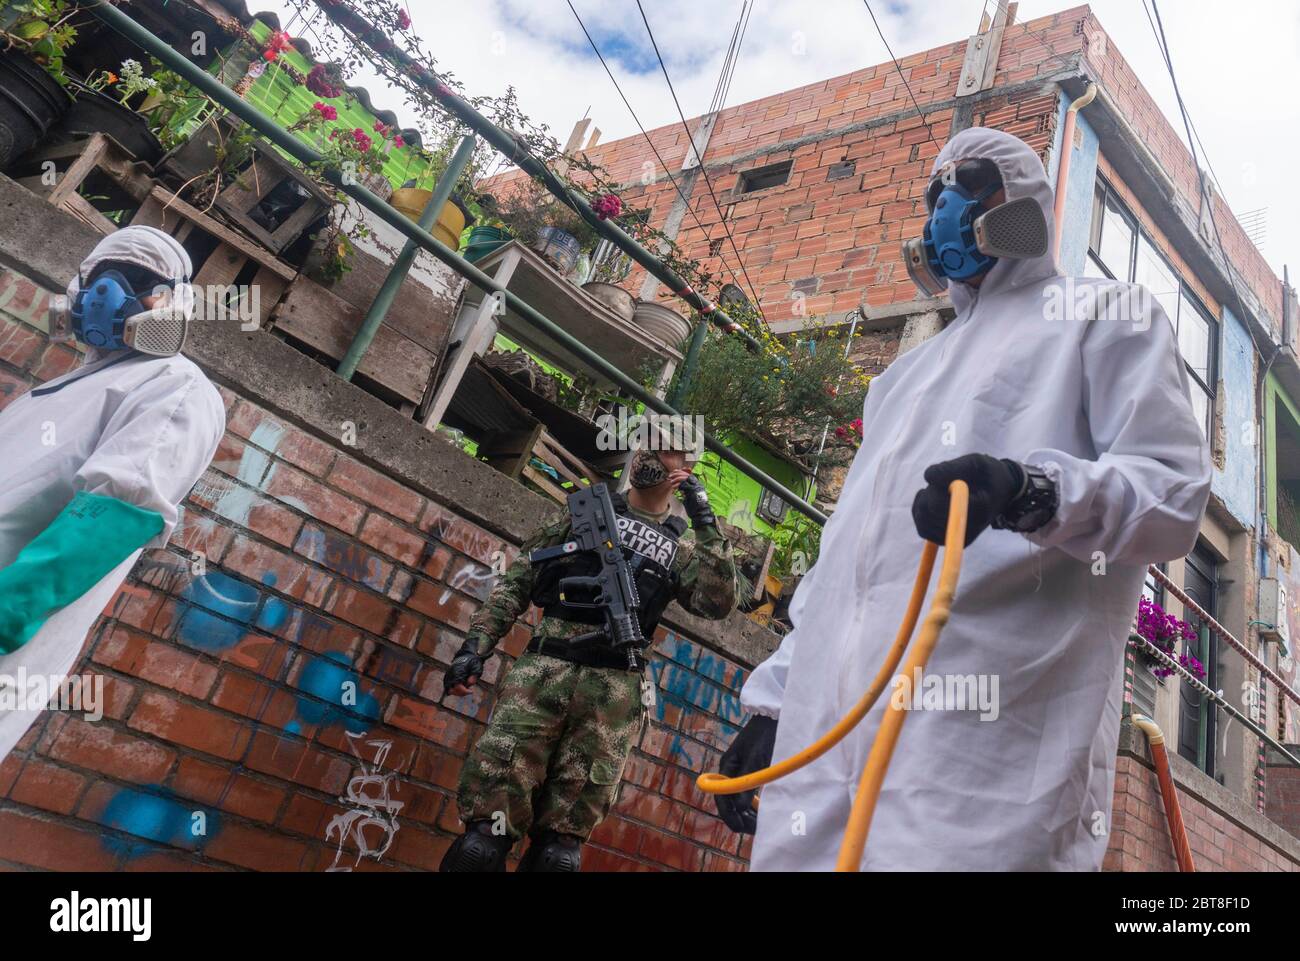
(137, 428)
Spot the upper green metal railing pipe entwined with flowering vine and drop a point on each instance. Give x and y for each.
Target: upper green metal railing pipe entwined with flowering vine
(518, 154)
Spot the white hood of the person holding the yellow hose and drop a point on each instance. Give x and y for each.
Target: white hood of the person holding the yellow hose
(1022, 176)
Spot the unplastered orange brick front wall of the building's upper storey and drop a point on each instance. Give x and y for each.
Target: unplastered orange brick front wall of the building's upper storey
(830, 239)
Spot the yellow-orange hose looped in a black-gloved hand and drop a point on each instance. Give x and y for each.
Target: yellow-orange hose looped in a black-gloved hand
(882, 751)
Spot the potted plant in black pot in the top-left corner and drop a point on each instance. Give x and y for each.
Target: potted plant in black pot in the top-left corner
(36, 36)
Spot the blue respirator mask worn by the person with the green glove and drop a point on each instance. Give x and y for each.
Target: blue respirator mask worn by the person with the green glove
(109, 315)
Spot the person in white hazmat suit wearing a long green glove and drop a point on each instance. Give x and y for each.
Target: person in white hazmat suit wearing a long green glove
(96, 464)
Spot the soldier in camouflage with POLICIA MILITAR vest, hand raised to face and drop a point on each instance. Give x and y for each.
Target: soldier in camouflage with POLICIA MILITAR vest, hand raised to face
(566, 718)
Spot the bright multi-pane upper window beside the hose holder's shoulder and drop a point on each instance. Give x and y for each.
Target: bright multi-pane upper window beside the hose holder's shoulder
(1119, 249)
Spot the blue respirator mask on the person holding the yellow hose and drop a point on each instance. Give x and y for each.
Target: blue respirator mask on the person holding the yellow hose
(963, 241)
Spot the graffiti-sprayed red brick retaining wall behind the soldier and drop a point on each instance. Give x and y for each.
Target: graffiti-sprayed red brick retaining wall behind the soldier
(304, 657)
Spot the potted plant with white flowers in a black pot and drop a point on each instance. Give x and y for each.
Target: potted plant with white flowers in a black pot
(101, 106)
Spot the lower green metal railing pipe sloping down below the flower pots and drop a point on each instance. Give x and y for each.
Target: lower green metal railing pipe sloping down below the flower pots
(292, 145)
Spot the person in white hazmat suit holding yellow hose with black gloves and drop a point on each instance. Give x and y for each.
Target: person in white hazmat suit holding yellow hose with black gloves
(1076, 435)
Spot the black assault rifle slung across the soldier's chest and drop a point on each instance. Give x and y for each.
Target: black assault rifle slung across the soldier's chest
(596, 529)
